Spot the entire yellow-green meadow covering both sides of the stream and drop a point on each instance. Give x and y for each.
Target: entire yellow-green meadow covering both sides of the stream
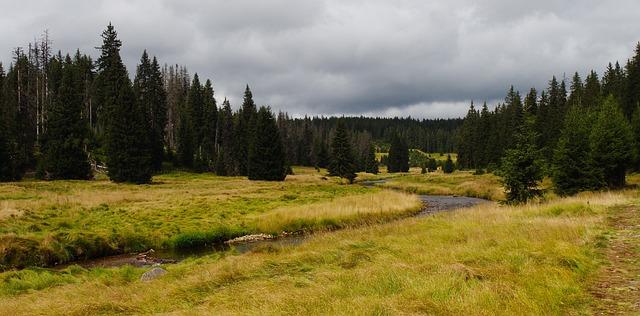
(548, 257)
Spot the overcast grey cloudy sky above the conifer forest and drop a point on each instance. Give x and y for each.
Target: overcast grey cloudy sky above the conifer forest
(418, 58)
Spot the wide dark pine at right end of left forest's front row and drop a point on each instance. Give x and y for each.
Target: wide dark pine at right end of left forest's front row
(266, 155)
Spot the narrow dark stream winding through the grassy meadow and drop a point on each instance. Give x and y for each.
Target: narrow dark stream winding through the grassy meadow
(432, 204)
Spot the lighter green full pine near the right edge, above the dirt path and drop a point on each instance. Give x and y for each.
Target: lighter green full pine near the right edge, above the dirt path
(612, 144)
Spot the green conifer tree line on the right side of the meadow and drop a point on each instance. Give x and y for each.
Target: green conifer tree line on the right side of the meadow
(585, 137)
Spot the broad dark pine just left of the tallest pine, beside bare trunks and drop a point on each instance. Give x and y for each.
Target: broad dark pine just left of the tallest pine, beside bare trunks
(64, 141)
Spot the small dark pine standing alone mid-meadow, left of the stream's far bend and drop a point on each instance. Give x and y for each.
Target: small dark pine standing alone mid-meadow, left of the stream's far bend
(342, 161)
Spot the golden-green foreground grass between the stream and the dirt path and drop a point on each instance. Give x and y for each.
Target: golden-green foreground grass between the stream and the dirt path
(488, 260)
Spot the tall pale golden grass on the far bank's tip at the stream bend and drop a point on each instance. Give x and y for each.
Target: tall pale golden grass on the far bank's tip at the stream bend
(340, 211)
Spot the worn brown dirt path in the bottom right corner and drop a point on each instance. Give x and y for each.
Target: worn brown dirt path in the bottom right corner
(617, 285)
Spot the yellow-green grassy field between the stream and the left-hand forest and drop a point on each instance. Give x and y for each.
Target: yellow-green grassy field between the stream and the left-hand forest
(43, 223)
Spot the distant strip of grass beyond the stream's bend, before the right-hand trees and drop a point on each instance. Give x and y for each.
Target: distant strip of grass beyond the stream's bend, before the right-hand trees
(486, 186)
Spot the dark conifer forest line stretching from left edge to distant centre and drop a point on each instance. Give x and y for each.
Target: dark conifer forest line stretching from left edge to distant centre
(64, 116)
